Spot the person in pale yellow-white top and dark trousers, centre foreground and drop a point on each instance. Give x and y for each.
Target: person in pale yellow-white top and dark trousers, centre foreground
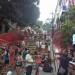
(29, 63)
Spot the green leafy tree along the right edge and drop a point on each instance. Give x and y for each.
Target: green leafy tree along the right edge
(68, 26)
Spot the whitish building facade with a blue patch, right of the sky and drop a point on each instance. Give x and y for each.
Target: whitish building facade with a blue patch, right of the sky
(62, 7)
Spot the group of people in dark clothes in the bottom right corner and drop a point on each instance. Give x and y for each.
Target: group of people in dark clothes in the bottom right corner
(65, 58)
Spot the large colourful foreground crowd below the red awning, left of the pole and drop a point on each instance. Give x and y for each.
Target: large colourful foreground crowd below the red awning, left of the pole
(20, 59)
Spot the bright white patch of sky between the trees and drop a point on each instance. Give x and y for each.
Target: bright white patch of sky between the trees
(46, 8)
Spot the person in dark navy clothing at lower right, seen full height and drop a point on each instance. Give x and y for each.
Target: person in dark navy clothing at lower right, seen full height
(63, 67)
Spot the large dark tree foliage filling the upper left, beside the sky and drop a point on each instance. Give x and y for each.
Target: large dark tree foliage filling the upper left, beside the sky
(21, 11)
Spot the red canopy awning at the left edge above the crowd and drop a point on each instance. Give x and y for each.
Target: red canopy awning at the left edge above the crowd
(9, 37)
